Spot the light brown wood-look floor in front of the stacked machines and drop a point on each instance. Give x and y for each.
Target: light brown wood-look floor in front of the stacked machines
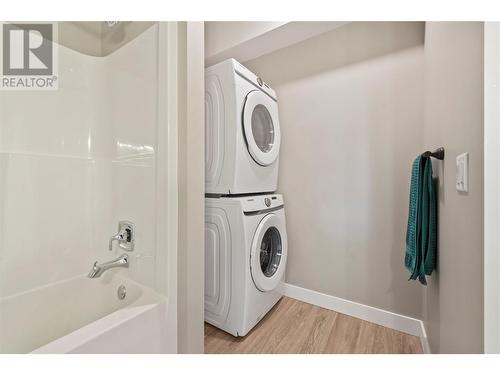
(296, 327)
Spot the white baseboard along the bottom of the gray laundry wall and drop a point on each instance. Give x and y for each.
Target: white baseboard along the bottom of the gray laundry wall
(371, 314)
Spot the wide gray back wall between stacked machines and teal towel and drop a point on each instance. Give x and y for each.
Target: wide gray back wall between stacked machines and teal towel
(351, 113)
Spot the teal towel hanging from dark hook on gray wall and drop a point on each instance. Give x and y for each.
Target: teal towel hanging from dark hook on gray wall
(421, 233)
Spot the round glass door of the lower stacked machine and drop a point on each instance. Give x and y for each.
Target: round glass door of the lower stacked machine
(268, 253)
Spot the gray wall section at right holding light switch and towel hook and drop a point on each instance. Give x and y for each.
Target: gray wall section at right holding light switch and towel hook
(453, 301)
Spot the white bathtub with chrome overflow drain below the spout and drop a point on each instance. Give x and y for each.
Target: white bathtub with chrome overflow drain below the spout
(83, 315)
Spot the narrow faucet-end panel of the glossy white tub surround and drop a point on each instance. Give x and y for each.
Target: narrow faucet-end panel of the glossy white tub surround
(132, 108)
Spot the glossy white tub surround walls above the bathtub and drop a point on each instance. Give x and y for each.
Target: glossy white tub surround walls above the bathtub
(76, 160)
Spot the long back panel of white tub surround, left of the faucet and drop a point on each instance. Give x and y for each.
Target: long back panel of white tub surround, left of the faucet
(50, 176)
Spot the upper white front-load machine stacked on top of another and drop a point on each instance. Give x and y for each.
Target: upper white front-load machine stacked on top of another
(242, 131)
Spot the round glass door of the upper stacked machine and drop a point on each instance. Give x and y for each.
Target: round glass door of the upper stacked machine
(261, 127)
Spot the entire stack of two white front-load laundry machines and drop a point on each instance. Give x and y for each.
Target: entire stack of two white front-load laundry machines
(245, 233)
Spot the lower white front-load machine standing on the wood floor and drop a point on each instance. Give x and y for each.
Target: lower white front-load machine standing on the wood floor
(245, 259)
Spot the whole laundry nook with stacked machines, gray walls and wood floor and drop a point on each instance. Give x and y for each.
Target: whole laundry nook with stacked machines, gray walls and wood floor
(311, 131)
